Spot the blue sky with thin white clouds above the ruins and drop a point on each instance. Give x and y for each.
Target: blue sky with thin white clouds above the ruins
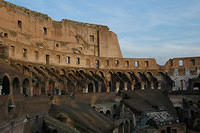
(161, 29)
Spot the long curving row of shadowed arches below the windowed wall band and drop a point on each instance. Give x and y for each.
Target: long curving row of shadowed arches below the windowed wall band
(45, 80)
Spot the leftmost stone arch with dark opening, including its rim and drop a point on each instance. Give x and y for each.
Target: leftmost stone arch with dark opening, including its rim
(6, 85)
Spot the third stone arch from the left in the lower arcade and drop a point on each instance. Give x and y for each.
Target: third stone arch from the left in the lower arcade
(26, 87)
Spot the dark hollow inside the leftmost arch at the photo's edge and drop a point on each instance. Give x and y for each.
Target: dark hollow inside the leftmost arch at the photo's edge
(5, 86)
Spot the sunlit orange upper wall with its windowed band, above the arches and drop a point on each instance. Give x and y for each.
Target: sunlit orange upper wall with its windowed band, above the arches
(37, 35)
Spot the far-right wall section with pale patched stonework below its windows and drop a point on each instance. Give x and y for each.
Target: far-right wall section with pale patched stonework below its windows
(181, 70)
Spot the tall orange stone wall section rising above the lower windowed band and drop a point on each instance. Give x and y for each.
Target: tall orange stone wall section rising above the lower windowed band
(31, 28)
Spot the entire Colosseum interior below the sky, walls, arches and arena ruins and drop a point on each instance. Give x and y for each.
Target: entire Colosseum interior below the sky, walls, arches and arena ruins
(53, 70)
